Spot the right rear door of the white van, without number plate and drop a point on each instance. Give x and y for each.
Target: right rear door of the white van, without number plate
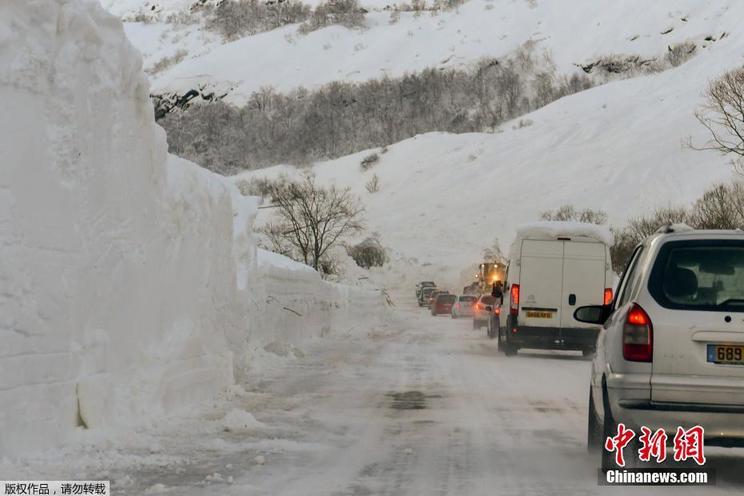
(584, 271)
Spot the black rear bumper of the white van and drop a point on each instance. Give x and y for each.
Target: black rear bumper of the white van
(554, 338)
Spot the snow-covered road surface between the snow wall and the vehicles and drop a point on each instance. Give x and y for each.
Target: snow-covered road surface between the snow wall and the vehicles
(420, 406)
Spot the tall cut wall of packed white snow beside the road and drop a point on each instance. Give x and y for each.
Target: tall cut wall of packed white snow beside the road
(129, 281)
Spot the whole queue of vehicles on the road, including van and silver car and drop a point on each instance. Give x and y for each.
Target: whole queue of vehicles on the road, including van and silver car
(667, 336)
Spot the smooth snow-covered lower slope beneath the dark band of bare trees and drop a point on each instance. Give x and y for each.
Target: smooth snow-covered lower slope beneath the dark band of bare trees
(617, 147)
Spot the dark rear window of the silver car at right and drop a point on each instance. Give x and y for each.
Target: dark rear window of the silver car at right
(700, 275)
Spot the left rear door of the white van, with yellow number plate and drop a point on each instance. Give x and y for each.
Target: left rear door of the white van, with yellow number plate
(540, 283)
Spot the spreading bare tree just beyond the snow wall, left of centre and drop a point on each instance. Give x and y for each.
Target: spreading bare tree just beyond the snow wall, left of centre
(310, 220)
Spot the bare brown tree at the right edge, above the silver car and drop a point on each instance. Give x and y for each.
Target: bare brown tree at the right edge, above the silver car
(723, 116)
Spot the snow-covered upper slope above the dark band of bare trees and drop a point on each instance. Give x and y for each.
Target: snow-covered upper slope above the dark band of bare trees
(571, 33)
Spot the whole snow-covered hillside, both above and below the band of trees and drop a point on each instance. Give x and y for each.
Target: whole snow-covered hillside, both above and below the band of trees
(444, 198)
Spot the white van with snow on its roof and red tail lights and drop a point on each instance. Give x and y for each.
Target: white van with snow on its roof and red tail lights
(554, 268)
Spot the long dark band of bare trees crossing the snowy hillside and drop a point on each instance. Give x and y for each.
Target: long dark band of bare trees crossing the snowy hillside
(340, 118)
